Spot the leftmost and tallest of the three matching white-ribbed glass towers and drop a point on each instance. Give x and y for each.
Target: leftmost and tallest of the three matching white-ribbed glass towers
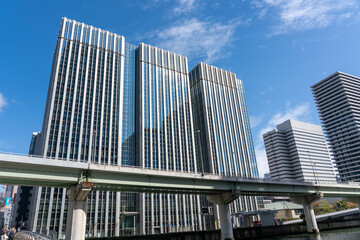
(83, 122)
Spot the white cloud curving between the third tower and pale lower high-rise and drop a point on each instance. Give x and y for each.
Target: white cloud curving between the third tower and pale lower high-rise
(299, 112)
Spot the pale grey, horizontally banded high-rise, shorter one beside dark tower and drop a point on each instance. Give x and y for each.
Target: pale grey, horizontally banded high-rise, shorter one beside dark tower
(297, 151)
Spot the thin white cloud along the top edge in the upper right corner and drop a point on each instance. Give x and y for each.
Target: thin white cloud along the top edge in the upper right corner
(301, 15)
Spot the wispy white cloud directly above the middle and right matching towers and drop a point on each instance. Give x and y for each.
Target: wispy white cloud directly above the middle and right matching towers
(197, 38)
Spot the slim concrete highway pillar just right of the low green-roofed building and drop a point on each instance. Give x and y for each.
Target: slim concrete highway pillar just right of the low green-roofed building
(307, 202)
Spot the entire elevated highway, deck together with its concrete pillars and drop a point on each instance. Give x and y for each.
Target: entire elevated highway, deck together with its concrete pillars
(81, 178)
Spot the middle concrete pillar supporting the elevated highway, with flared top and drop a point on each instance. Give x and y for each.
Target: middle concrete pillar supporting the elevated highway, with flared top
(223, 200)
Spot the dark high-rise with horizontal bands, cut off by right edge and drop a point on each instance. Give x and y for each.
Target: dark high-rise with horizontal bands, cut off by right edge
(338, 102)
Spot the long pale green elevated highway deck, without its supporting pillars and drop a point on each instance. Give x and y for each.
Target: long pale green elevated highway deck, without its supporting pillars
(37, 171)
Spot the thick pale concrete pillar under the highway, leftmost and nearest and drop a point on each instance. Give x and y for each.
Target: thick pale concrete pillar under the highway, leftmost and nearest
(76, 216)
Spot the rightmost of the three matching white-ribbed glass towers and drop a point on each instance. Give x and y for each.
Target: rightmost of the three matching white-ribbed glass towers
(220, 113)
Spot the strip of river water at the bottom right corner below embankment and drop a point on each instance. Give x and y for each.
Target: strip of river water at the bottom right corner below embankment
(341, 234)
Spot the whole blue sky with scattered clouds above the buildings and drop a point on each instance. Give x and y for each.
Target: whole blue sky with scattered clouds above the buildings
(279, 48)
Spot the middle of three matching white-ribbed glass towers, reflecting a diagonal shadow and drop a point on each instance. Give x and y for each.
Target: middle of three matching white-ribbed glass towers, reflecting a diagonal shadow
(165, 137)
